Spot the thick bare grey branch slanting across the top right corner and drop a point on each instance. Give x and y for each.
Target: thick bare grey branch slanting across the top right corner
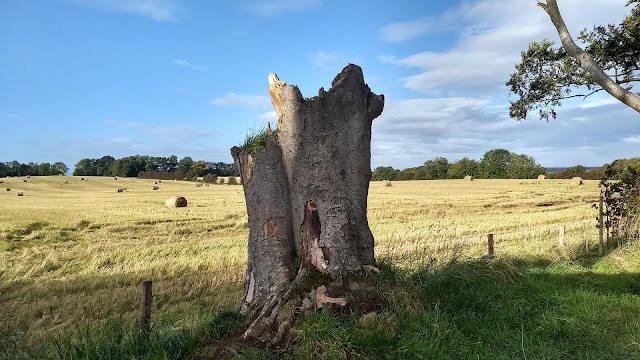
(586, 61)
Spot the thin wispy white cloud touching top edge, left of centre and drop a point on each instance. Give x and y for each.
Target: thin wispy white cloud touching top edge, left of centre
(158, 10)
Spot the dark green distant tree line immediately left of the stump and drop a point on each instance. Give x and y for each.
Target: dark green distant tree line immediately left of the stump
(152, 167)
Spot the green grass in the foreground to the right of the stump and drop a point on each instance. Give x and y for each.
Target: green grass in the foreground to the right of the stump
(490, 309)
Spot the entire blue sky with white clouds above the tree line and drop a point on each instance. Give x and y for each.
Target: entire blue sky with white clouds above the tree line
(87, 78)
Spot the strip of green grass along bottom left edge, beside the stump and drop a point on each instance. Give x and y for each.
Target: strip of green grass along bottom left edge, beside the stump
(120, 338)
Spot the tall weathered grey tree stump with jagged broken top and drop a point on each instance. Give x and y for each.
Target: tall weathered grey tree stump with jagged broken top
(306, 192)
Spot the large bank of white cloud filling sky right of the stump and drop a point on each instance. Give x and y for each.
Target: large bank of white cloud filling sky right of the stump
(460, 105)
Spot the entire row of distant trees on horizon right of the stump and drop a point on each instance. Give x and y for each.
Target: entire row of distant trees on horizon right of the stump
(495, 164)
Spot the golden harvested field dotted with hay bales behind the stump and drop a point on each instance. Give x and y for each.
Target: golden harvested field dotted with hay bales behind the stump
(75, 254)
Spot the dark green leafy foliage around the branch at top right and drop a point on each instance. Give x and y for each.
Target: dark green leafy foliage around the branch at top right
(547, 75)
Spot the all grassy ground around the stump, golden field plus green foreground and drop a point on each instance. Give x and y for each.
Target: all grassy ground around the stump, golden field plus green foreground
(72, 257)
